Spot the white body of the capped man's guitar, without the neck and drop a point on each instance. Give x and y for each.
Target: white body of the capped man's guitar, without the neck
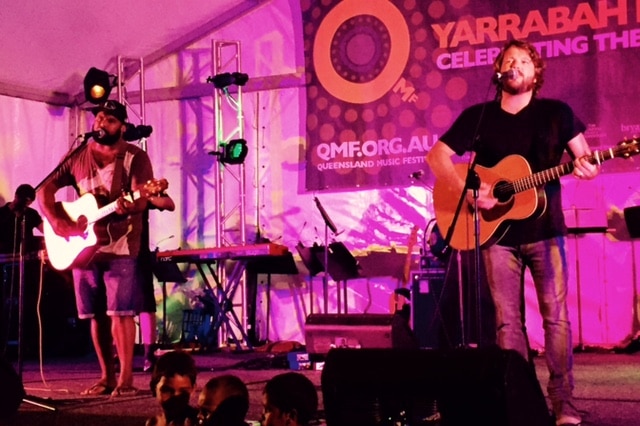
(77, 250)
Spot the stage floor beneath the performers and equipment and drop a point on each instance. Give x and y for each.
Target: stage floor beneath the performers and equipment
(607, 388)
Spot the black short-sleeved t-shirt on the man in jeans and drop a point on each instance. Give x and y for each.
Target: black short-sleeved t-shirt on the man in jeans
(539, 133)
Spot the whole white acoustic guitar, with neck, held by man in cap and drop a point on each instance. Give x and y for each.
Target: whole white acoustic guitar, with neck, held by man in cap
(77, 250)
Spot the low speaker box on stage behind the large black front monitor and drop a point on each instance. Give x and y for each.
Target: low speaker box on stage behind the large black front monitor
(326, 331)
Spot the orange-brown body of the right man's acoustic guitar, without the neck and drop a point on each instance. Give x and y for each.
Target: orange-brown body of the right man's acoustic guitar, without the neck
(494, 222)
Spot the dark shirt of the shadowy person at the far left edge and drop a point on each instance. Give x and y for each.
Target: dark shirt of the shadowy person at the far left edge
(10, 229)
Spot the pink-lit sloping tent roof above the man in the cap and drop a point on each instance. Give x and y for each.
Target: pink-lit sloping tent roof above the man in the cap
(47, 47)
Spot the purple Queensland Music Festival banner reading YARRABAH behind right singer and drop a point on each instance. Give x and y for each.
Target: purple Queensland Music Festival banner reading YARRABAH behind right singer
(385, 78)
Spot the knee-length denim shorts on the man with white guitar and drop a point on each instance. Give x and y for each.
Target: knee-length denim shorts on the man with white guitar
(113, 287)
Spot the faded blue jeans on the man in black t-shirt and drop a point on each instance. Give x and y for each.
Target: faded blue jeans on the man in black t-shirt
(547, 263)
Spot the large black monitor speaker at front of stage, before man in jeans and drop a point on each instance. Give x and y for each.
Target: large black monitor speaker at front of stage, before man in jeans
(463, 386)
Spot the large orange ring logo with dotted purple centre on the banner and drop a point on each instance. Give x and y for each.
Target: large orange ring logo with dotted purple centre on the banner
(361, 49)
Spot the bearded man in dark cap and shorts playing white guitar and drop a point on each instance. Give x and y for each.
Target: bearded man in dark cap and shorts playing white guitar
(106, 273)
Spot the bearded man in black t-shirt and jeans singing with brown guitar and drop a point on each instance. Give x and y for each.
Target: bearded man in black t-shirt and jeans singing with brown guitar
(540, 131)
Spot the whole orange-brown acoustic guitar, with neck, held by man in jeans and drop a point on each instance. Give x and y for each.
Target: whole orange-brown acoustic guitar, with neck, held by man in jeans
(519, 192)
